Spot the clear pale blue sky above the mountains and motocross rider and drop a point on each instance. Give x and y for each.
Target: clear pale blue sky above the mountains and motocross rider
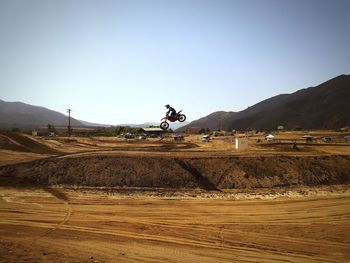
(122, 61)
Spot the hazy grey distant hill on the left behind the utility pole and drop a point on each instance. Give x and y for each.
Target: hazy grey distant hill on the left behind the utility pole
(20, 115)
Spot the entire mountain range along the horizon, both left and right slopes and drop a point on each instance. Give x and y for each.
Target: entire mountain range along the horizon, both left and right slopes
(326, 106)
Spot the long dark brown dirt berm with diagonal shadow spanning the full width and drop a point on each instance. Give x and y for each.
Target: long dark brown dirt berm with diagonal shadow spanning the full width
(208, 173)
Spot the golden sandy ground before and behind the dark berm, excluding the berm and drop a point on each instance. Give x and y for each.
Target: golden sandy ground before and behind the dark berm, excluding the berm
(57, 224)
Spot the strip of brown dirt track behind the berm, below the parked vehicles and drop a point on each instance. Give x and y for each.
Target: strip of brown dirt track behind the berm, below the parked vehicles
(16, 147)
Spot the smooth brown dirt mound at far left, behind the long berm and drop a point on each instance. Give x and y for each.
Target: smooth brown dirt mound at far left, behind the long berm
(19, 142)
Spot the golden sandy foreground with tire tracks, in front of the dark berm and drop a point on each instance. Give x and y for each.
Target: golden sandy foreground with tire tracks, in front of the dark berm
(65, 225)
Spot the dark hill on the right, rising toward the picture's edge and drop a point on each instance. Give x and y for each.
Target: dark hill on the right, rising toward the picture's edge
(325, 106)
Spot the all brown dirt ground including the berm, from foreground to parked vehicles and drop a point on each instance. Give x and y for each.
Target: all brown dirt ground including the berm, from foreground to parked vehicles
(163, 201)
